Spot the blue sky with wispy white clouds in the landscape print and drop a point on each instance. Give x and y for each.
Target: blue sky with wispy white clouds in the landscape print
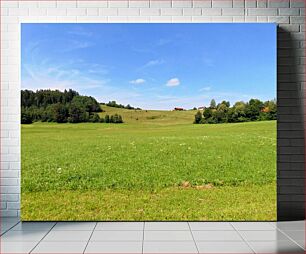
(152, 66)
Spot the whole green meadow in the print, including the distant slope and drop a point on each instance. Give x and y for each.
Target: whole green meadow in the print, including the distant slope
(155, 166)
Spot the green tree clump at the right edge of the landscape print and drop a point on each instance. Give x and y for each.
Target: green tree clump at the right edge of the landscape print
(253, 110)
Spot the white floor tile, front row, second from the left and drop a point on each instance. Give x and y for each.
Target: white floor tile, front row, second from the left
(60, 247)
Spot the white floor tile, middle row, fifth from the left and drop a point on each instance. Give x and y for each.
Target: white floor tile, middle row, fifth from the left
(216, 236)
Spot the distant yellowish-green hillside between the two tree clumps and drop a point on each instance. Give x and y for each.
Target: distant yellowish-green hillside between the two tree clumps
(151, 116)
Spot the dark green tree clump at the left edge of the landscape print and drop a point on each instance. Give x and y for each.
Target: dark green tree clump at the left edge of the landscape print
(61, 107)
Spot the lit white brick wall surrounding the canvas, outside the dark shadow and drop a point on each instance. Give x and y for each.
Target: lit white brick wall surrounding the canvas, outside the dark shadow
(288, 13)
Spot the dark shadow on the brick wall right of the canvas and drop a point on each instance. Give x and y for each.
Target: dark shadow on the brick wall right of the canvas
(290, 129)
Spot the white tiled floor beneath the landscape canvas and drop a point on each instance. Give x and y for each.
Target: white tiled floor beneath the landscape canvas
(152, 237)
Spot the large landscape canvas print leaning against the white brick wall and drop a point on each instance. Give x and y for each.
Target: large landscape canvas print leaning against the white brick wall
(148, 122)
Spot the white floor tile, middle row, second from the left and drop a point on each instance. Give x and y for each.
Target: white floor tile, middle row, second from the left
(68, 236)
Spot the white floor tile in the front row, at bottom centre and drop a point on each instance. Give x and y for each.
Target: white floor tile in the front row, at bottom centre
(169, 247)
